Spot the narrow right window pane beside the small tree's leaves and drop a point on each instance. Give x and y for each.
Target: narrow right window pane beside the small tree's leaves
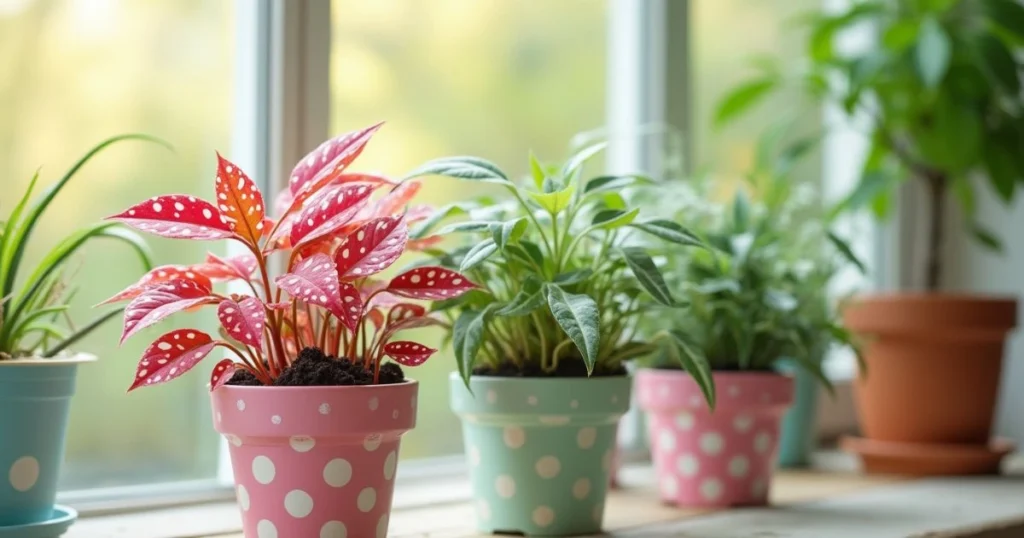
(728, 37)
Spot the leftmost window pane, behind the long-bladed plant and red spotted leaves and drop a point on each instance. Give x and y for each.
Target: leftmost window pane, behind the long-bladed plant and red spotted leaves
(77, 72)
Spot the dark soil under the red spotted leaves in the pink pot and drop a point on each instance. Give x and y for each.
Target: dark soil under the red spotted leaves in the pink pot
(314, 368)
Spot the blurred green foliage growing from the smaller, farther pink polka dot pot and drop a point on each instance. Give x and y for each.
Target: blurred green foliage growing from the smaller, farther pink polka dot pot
(760, 296)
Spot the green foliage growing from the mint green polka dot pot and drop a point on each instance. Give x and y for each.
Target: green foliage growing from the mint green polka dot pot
(567, 280)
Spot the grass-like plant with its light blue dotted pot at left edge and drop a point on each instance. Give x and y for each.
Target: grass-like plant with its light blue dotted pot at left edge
(38, 367)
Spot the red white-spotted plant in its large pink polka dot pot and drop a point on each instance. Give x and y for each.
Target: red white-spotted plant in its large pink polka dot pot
(313, 413)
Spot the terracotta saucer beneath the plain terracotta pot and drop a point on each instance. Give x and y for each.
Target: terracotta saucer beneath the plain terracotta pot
(886, 458)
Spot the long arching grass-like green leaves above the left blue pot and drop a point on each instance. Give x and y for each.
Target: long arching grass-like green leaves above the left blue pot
(32, 309)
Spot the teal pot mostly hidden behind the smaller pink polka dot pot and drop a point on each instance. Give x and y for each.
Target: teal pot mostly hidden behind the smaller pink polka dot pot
(799, 435)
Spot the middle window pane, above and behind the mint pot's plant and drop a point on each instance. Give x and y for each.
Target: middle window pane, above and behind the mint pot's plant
(456, 77)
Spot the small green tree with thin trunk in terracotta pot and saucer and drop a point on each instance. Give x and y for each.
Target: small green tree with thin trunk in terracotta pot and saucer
(940, 87)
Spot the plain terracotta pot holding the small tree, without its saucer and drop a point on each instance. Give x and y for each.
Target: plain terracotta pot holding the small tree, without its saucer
(933, 366)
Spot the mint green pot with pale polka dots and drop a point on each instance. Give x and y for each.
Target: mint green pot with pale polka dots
(540, 450)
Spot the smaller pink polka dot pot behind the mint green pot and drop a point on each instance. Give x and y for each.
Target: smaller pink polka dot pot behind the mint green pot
(715, 459)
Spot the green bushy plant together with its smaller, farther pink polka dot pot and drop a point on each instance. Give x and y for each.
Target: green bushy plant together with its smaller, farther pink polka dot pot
(756, 312)
